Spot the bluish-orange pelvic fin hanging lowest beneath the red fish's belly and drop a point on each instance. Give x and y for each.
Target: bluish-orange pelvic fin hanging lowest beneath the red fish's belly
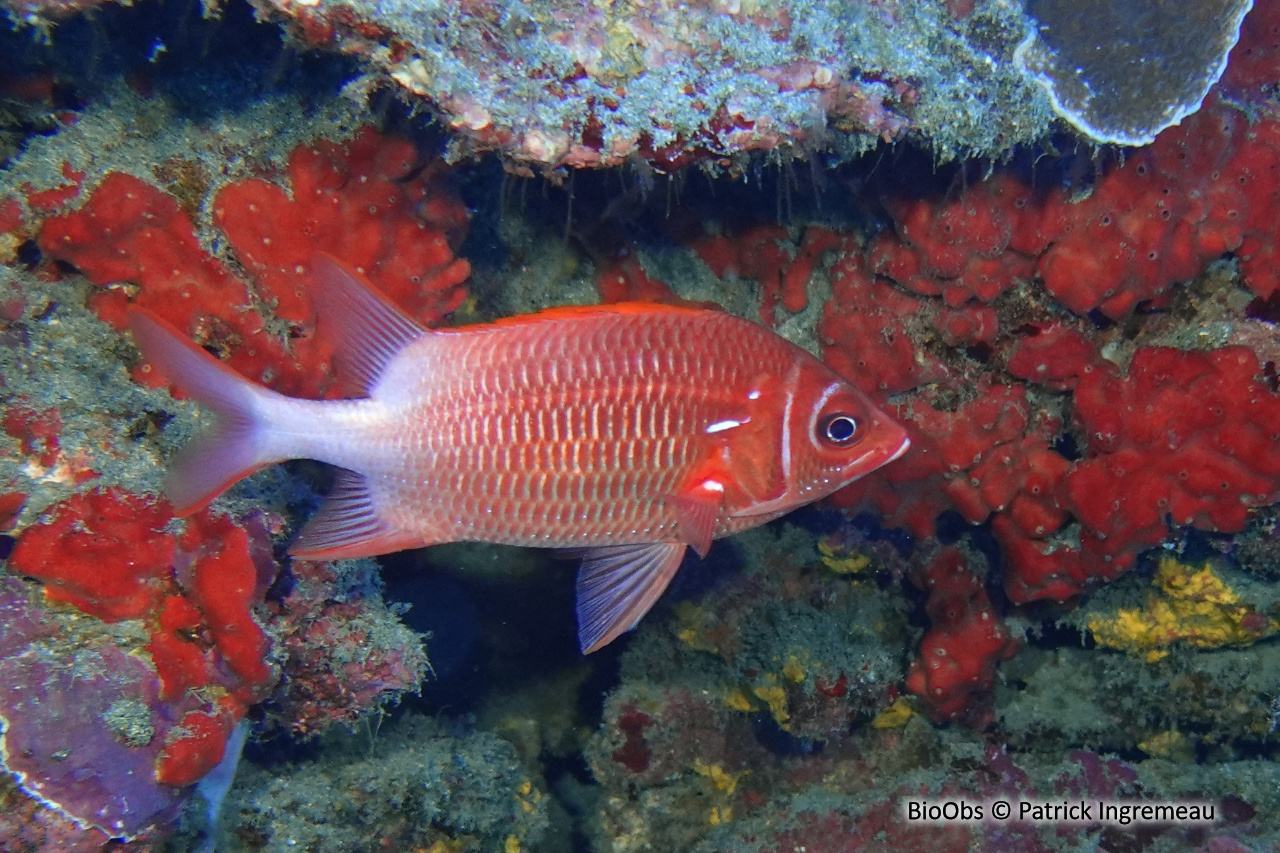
(619, 585)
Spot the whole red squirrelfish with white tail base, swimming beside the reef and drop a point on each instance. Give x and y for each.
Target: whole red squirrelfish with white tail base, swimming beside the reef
(625, 434)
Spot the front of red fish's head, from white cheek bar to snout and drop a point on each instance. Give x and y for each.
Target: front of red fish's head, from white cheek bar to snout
(836, 435)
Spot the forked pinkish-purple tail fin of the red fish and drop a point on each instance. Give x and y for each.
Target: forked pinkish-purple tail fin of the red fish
(236, 445)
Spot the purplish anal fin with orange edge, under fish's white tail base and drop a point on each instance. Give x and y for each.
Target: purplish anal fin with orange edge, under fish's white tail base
(348, 526)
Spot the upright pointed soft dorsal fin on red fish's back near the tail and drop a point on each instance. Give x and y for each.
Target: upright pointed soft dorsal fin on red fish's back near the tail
(365, 327)
